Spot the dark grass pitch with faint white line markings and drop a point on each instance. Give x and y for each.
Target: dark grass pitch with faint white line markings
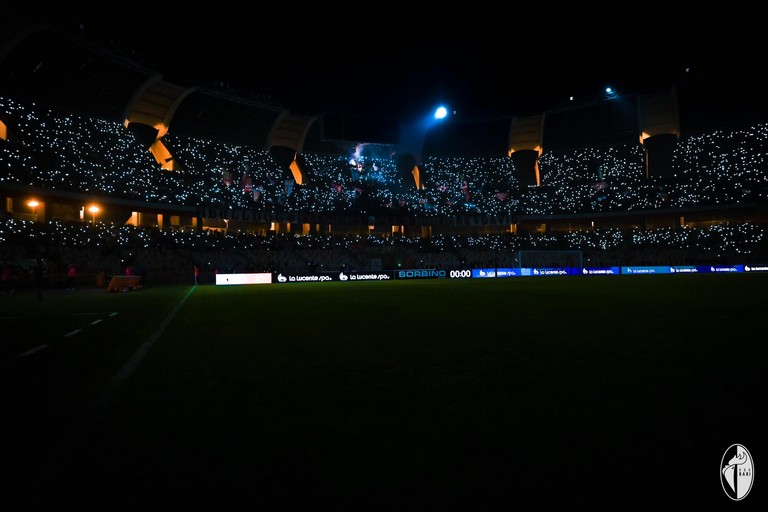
(405, 395)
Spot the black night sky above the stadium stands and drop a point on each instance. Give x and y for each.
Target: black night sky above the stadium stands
(387, 62)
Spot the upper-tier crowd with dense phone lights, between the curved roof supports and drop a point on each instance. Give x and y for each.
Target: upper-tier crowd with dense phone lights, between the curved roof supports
(86, 155)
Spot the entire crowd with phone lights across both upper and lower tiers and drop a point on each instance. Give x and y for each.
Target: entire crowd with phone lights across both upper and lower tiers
(54, 150)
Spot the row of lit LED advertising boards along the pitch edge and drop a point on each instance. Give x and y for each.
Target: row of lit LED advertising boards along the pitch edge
(476, 273)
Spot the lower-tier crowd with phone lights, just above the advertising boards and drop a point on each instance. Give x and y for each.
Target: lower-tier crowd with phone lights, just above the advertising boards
(166, 256)
